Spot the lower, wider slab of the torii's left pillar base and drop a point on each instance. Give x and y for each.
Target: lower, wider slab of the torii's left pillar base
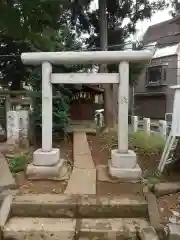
(57, 172)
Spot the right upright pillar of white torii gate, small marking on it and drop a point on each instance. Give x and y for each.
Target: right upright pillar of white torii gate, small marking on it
(123, 103)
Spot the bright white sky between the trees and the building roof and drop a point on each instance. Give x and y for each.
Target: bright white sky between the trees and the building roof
(158, 17)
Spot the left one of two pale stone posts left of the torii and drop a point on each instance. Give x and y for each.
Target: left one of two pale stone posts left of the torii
(12, 127)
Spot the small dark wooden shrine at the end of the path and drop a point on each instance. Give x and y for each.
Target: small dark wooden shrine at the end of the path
(83, 103)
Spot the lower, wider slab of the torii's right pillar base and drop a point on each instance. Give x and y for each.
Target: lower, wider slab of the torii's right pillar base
(126, 174)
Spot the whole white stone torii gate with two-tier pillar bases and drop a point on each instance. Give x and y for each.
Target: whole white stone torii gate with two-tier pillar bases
(46, 161)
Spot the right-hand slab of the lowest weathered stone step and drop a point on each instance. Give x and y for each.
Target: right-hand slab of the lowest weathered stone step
(110, 229)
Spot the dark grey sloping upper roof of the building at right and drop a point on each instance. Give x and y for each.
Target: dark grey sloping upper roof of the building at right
(164, 33)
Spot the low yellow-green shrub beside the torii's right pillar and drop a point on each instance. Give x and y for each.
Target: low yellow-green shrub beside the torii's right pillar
(146, 144)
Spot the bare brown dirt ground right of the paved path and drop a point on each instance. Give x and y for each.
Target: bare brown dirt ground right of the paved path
(169, 205)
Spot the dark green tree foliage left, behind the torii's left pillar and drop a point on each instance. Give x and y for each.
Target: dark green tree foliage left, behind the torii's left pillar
(36, 25)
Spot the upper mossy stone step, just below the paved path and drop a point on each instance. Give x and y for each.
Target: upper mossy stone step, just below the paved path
(78, 206)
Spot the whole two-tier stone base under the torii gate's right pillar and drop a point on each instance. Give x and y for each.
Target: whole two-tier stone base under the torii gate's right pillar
(124, 166)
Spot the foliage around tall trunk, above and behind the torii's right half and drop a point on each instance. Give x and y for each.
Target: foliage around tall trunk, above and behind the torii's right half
(122, 17)
